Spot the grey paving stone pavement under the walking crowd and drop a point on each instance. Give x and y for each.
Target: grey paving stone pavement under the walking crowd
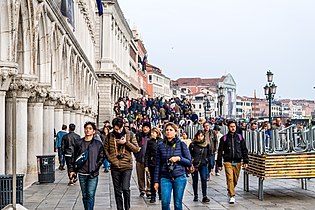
(279, 194)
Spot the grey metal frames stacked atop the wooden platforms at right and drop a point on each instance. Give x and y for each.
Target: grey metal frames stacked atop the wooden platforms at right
(290, 139)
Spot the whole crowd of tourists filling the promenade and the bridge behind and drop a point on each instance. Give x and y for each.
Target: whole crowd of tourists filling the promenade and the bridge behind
(153, 132)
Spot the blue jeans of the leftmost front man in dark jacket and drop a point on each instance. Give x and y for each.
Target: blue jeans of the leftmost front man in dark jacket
(88, 186)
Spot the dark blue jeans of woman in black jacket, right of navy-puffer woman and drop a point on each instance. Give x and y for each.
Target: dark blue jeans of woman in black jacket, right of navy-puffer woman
(203, 171)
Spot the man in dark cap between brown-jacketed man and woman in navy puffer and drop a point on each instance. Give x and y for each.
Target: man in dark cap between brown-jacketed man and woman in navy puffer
(143, 177)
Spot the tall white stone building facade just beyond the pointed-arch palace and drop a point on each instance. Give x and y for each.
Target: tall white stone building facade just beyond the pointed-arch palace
(113, 57)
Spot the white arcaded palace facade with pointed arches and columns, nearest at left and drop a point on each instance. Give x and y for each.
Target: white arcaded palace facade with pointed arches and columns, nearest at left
(49, 65)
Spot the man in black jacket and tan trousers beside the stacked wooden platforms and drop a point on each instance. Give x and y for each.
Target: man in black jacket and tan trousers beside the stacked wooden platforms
(233, 149)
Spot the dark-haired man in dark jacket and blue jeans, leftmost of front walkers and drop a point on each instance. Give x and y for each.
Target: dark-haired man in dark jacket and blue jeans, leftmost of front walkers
(88, 171)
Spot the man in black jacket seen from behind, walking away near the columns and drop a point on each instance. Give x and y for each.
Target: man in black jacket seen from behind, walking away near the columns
(67, 145)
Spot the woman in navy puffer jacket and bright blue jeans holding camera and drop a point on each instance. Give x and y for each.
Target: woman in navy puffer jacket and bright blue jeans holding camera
(172, 158)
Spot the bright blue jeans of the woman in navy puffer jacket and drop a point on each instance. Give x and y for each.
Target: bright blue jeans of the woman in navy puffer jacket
(178, 185)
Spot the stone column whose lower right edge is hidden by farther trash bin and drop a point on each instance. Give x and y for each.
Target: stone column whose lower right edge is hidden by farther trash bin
(34, 134)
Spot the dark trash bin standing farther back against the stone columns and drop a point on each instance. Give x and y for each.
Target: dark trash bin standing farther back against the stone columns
(46, 168)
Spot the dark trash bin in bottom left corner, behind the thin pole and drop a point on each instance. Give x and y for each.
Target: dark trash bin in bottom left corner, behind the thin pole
(6, 189)
